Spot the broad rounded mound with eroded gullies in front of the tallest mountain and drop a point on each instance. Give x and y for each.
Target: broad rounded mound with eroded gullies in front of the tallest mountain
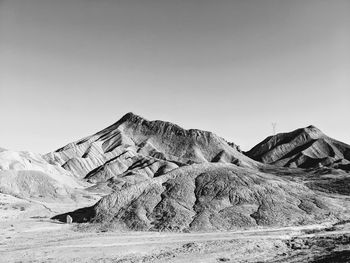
(207, 197)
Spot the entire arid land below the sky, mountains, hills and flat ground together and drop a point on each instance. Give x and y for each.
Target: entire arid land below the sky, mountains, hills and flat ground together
(151, 191)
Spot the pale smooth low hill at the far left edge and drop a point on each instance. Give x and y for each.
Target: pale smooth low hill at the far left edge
(29, 175)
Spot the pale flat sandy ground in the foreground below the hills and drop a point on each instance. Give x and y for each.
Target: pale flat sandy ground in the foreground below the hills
(28, 235)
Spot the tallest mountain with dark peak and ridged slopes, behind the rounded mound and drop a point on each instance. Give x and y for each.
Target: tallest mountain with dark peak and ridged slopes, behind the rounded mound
(150, 148)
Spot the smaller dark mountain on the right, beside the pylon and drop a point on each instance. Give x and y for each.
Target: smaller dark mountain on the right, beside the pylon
(304, 148)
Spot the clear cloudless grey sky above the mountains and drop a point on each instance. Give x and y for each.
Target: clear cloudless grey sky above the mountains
(70, 68)
